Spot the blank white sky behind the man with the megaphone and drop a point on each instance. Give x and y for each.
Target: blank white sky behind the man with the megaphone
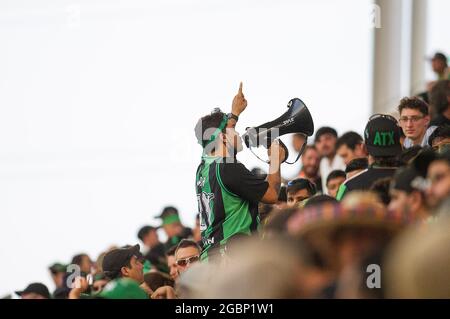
(98, 100)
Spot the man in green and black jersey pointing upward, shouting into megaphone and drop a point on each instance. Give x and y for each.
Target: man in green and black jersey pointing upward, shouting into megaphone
(227, 192)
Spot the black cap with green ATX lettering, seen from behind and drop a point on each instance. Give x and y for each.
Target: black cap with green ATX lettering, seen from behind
(382, 136)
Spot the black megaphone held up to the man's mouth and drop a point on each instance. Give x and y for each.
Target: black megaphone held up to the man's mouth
(296, 120)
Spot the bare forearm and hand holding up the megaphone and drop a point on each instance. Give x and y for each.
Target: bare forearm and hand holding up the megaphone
(276, 155)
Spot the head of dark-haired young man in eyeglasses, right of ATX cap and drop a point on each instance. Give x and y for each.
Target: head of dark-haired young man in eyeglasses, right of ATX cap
(414, 121)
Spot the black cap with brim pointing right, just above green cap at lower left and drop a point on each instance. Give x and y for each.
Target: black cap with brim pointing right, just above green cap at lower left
(117, 258)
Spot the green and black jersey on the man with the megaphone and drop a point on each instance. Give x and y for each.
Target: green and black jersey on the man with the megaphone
(228, 196)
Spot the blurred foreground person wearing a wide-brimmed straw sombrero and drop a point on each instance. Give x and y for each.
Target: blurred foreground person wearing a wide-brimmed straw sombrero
(347, 236)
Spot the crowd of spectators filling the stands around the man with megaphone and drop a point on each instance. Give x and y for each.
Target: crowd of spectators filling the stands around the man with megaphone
(367, 217)
